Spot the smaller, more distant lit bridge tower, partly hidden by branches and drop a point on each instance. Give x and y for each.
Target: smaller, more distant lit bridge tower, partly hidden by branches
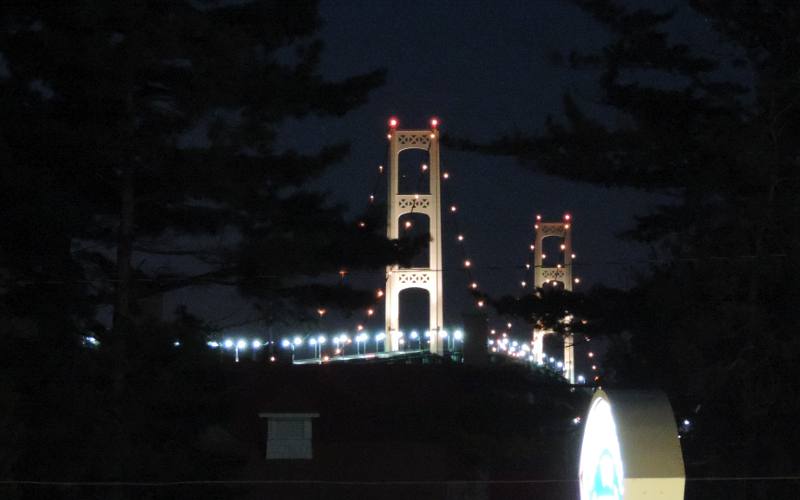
(553, 275)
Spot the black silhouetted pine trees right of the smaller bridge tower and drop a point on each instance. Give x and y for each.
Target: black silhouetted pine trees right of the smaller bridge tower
(704, 104)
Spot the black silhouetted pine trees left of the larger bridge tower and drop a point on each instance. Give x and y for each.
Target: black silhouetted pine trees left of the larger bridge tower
(134, 135)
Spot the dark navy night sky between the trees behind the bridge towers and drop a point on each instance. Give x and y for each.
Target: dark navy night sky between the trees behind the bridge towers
(483, 69)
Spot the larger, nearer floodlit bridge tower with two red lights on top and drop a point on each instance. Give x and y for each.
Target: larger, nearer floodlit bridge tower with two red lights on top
(427, 278)
